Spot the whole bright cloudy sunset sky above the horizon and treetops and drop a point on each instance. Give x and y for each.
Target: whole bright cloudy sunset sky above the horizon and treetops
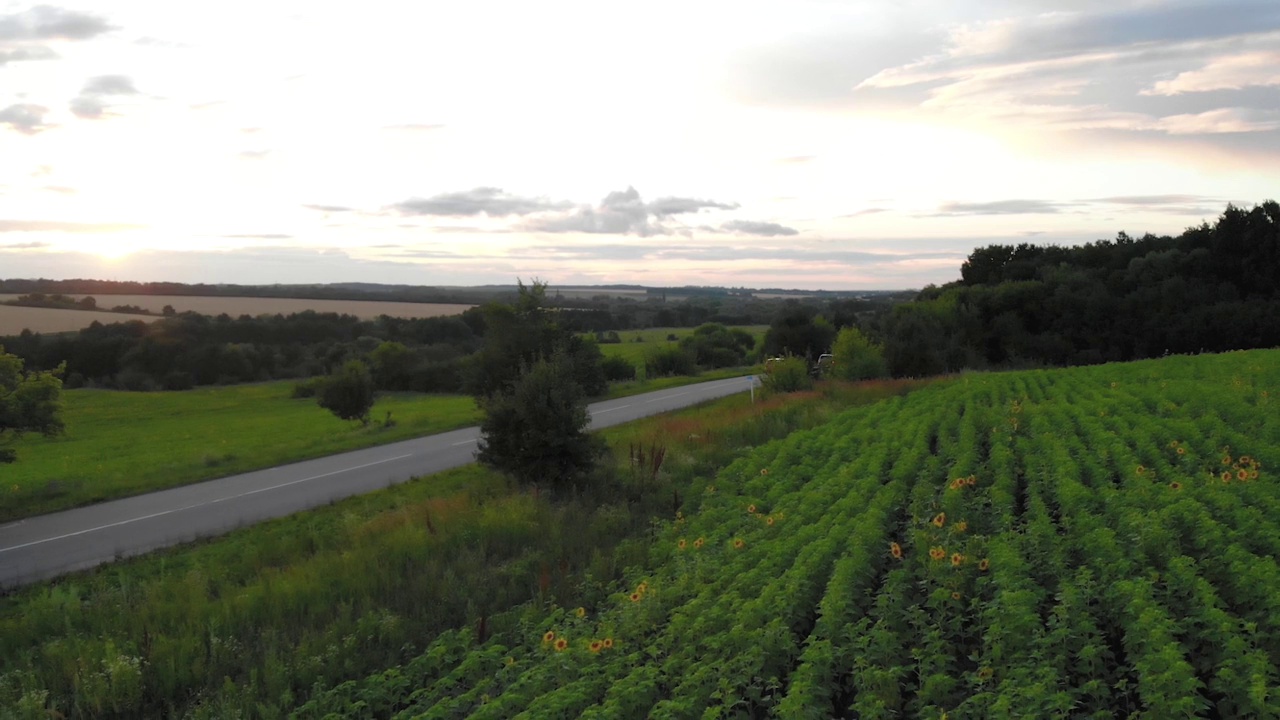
(798, 144)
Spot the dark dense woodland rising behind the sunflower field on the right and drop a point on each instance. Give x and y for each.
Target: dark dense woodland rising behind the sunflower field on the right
(1212, 289)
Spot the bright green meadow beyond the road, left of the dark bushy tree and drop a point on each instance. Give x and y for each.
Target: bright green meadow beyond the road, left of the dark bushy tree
(120, 444)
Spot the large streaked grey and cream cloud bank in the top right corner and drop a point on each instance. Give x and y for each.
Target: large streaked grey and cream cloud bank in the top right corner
(1104, 69)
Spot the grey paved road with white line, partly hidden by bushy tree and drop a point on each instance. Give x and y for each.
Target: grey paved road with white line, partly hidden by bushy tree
(62, 543)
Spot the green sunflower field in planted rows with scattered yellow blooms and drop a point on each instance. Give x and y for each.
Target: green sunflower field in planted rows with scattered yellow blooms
(1094, 543)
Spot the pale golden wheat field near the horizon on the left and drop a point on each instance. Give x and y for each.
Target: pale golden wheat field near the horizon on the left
(53, 321)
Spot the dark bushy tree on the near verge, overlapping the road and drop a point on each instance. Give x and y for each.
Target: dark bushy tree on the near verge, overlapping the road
(537, 431)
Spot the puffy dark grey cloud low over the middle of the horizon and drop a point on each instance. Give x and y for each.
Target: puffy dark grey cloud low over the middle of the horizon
(625, 213)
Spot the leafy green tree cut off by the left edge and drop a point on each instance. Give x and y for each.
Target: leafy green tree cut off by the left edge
(29, 403)
